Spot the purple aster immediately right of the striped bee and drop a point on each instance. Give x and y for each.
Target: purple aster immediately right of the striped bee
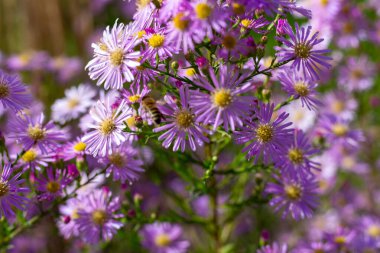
(182, 127)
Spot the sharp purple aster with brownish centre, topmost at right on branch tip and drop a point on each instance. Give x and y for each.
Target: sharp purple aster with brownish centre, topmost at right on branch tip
(301, 48)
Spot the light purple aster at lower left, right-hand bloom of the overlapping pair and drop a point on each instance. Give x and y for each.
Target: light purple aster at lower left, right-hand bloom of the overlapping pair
(98, 218)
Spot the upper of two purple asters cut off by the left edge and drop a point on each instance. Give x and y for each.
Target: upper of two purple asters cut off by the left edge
(13, 93)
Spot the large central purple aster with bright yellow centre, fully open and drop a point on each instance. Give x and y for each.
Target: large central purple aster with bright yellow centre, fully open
(224, 102)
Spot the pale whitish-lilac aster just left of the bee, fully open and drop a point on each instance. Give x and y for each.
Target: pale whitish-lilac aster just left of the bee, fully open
(107, 128)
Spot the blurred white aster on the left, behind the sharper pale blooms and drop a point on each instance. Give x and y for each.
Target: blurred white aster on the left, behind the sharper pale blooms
(77, 101)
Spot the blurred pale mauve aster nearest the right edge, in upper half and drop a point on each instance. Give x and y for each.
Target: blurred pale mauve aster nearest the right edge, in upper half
(357, 75)
